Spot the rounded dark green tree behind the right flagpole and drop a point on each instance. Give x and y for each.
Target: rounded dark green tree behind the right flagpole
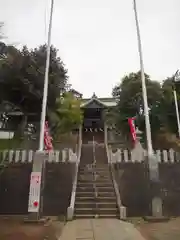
(130, 103)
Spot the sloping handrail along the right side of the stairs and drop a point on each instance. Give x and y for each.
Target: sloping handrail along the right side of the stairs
(116, 188)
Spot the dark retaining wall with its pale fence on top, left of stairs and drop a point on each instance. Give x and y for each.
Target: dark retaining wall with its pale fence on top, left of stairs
(15, 171)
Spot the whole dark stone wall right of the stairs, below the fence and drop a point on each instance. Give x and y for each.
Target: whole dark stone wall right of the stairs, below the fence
(137, 191)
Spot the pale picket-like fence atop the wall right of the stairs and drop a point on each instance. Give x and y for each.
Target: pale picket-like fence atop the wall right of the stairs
(163, 156)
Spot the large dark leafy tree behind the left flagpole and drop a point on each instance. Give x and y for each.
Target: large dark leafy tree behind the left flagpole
(22, 79)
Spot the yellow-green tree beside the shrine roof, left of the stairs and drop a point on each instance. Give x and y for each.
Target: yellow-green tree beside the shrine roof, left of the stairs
(67, 116)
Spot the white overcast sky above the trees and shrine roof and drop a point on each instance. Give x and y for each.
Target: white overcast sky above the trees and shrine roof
(97, 38)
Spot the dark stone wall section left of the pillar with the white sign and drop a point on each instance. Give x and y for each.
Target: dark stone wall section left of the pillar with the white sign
(14, 188)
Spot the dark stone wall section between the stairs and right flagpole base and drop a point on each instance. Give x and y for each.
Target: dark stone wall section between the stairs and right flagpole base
(132, 179)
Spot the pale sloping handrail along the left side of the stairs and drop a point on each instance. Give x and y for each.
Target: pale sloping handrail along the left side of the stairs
(70, 210)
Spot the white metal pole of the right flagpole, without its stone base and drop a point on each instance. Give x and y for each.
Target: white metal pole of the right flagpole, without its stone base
(144, 91)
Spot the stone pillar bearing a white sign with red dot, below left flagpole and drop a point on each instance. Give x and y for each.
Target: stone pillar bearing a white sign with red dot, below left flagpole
(36, 182)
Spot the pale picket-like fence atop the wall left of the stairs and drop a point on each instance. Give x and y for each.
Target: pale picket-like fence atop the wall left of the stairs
(24, 156)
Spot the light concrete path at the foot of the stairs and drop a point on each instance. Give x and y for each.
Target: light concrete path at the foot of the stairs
(100, 229)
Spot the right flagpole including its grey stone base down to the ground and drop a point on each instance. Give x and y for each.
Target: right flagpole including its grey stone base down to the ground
(152, 161)
